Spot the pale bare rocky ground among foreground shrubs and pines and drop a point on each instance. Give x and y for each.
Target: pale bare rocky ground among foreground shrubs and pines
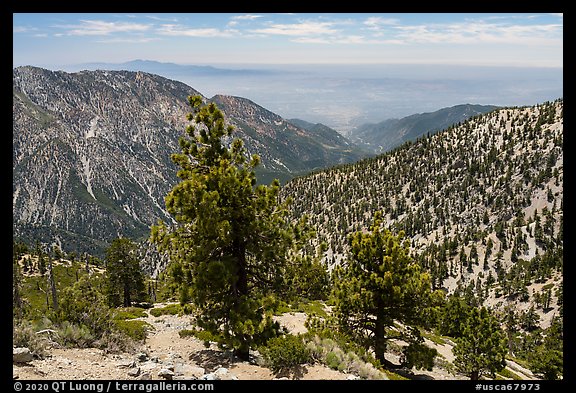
(165, 355)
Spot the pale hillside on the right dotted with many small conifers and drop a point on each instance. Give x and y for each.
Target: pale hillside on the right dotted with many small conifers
(481, 202)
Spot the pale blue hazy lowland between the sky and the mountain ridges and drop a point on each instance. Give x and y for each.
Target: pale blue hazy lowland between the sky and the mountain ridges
(347, 96)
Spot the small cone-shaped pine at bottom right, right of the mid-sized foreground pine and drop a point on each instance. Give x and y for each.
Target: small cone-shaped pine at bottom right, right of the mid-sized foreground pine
(482, 347)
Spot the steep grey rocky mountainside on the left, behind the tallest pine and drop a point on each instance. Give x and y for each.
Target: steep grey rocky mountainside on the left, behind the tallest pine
(91, 152)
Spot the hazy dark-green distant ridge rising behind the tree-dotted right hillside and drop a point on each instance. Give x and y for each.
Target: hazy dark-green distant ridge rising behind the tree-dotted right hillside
(386, 135)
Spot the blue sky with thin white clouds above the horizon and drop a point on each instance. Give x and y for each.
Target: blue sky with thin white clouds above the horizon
(508, 39)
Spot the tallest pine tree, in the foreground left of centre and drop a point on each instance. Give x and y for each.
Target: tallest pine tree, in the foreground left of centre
(232, 236)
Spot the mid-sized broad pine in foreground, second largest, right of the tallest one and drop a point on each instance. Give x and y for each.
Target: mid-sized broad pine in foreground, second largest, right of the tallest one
(380, 285)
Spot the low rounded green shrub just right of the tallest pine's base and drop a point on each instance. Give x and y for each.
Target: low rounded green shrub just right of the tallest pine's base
(284, 352)
